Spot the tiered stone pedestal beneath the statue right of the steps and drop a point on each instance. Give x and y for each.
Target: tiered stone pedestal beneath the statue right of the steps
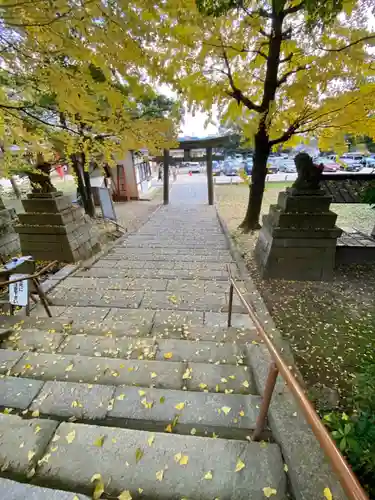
(298, 237)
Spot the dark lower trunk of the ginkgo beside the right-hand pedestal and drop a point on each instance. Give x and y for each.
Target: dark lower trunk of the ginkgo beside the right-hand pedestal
(258, 179)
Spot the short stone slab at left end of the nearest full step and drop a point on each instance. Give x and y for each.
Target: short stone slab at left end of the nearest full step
(23, 442)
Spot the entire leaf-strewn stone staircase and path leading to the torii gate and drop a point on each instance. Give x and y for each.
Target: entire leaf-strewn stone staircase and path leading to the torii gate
(137, 386)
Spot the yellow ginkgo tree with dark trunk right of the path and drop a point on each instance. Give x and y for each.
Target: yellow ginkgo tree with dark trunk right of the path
(283, 70)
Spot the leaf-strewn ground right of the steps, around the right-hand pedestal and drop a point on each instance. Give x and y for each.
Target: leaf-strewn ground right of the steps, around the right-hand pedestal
(330, 326)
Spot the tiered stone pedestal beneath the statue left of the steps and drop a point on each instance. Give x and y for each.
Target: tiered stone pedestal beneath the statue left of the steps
(54, 229)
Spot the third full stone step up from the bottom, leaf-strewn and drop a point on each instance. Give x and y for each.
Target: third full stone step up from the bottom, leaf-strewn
(220, 378)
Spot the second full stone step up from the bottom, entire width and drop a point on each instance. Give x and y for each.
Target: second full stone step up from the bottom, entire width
(230, 416)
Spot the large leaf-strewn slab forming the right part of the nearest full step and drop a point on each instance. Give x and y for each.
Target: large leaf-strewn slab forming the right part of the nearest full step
(129, 460)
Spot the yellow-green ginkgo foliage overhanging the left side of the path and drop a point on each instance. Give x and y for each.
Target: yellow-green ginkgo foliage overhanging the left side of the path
(73, 82)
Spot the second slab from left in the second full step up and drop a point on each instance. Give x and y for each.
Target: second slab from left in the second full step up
(69, 399)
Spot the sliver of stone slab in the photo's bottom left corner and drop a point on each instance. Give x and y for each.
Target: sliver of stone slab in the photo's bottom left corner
(11, 490)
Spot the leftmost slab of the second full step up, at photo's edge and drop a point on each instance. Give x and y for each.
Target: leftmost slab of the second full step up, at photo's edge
(17, 392)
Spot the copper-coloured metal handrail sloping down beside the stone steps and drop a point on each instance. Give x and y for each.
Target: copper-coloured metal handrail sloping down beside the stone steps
(347, 478)
